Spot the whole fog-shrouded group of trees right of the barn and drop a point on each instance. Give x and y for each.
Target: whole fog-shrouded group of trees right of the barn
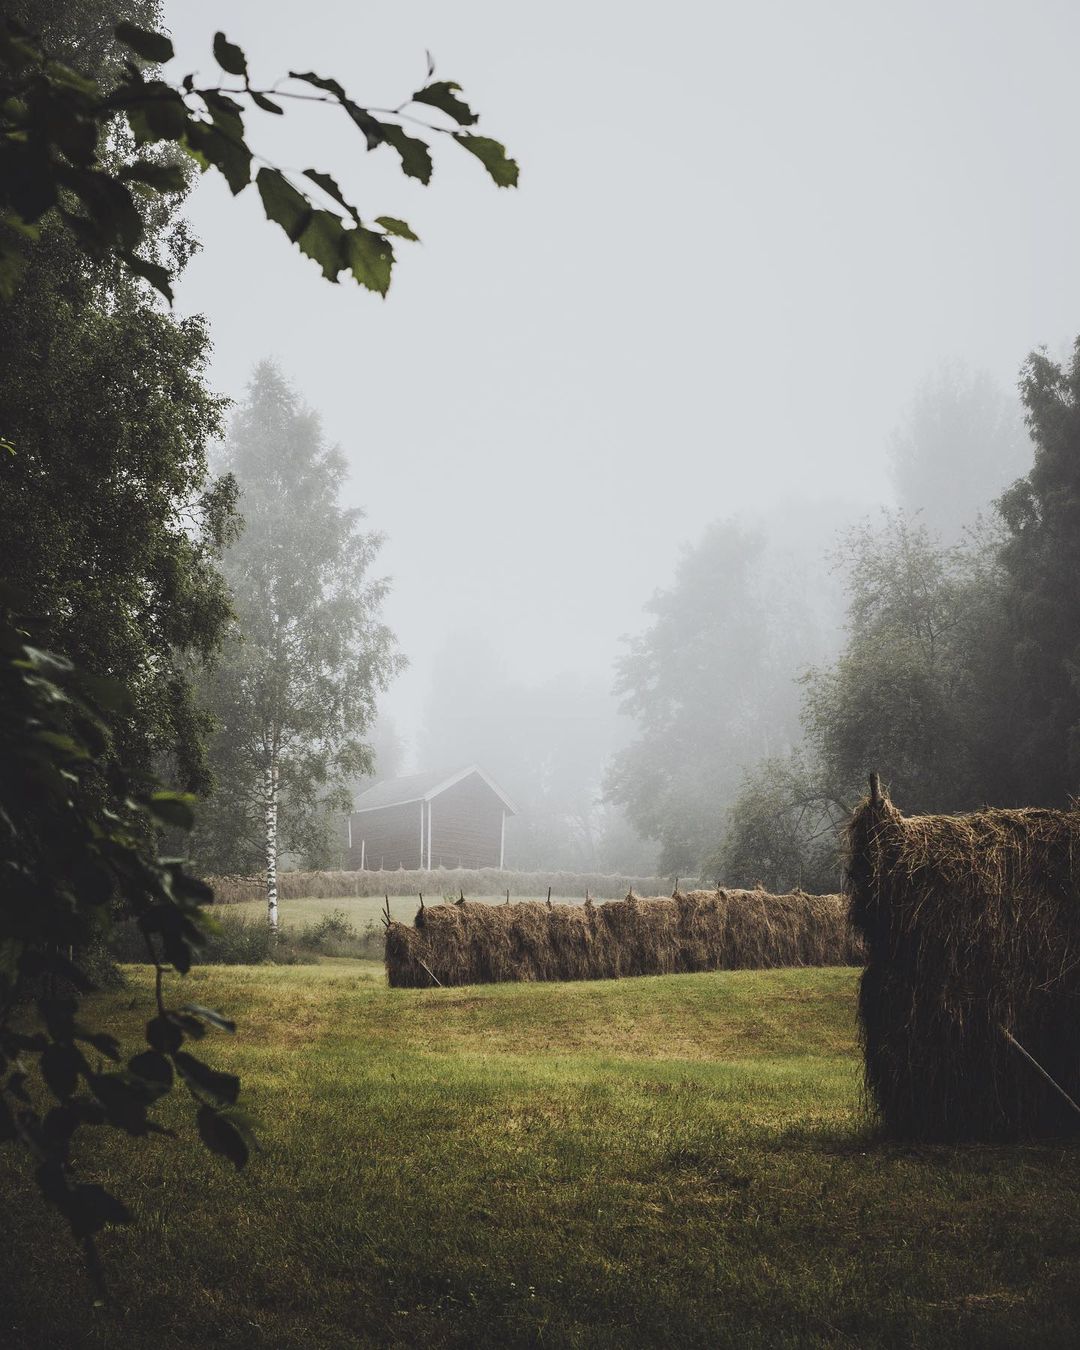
(958, 677)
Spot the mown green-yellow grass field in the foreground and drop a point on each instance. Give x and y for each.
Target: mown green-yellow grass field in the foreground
(666, 1162)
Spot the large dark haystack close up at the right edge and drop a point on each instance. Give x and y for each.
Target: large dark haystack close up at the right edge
(973, 935)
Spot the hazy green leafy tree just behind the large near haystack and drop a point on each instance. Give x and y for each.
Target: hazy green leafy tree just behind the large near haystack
(920, 693)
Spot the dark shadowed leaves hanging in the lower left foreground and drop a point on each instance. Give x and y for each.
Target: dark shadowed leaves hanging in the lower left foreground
(68, 859)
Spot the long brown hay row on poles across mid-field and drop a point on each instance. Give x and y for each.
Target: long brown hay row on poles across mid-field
(705, 931)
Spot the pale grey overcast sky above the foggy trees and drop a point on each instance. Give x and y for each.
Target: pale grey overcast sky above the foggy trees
(745, 234)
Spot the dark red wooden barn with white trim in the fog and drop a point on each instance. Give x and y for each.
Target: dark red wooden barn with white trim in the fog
(452, 819)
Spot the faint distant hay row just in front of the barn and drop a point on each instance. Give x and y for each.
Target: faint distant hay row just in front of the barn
(438, 882)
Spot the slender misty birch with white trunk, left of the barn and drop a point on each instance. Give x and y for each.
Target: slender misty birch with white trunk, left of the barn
(295, 693)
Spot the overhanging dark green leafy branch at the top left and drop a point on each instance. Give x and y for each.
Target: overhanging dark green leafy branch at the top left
(56, 122)
